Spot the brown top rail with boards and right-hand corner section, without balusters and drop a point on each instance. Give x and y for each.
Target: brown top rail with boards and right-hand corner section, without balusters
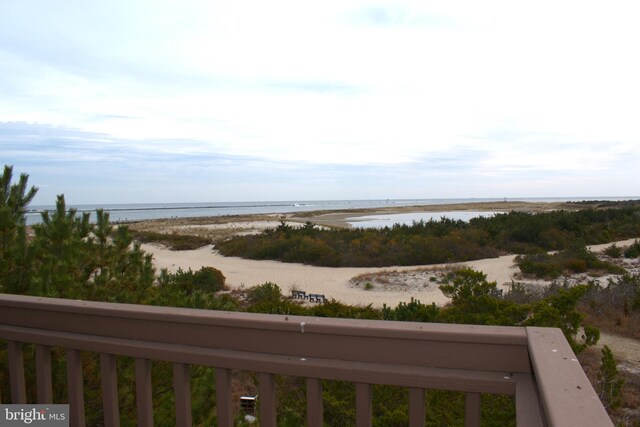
(538, 362)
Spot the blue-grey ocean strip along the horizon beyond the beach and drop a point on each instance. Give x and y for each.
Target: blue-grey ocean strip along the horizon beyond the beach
(141, 212)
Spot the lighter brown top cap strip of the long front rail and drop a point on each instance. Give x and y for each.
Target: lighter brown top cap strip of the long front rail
(506, 335)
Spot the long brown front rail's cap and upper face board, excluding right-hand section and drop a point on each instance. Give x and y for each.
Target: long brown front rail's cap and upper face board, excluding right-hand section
(460, 346)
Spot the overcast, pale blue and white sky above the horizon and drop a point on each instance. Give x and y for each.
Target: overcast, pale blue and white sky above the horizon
(192, 101)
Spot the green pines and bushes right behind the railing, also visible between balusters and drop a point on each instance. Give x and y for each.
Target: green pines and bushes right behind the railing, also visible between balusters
(66, 256)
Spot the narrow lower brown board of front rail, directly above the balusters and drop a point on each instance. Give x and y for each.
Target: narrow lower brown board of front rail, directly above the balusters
(390, 374)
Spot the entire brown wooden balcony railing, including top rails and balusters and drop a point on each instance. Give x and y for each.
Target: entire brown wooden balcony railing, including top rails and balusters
(536, 365)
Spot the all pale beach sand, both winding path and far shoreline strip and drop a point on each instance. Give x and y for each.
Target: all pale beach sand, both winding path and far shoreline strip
(401, 284)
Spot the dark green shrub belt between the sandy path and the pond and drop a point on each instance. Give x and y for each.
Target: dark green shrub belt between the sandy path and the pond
(445, 240)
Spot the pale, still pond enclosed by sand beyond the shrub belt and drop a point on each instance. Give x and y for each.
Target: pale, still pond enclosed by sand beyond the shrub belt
(388, 220)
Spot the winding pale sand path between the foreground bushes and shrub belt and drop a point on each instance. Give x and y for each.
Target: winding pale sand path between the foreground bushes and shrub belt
(329, 281)
